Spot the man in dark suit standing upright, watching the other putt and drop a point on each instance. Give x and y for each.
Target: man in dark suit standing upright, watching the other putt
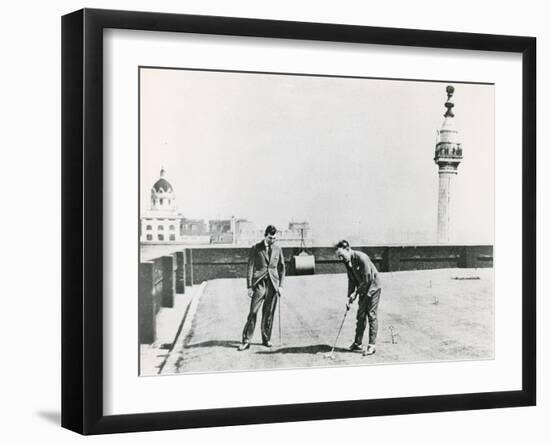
(264, 280)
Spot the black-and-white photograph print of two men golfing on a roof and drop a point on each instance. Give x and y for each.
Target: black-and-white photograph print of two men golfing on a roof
(295, 221)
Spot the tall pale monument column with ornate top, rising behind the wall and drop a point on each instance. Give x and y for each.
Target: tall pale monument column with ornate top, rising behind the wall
(448, 155)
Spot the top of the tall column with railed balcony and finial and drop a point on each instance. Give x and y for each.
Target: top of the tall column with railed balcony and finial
(448, 149)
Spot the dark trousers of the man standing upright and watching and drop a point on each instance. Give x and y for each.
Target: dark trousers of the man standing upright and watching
(266, 293)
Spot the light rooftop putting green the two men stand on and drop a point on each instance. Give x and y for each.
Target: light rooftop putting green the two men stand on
(424, 316)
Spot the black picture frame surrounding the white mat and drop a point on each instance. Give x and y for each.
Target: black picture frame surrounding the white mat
(82, 215)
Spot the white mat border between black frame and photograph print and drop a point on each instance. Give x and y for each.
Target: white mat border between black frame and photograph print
(125, 392)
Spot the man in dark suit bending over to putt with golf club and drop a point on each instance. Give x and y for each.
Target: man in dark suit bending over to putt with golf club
(363, 281)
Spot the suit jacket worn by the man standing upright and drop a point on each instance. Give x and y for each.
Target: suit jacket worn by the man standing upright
(259, 266)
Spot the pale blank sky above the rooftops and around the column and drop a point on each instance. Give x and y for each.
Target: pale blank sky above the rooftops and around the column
(354, 157)
